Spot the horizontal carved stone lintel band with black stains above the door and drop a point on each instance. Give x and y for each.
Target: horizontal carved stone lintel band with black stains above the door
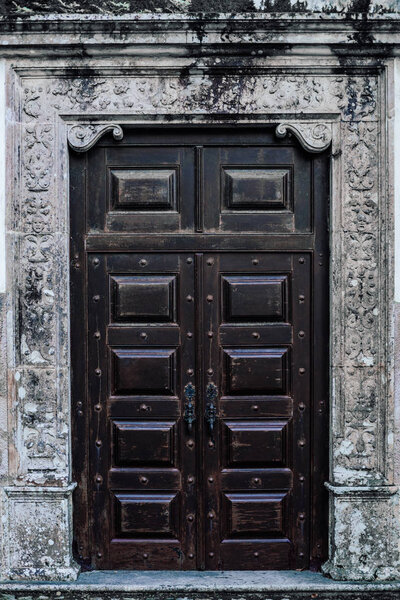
(355, 98)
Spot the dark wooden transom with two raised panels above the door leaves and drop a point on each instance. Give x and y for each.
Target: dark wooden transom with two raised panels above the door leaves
(233, 184)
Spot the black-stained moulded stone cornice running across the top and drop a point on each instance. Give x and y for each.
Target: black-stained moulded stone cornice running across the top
(360, 34)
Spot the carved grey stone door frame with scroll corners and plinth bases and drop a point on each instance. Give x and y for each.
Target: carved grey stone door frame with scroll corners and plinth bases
(48, 110)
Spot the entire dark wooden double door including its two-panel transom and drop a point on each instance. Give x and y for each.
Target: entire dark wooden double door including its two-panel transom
(199, 351)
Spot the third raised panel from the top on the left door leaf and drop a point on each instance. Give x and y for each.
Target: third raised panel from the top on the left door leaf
(144, 443)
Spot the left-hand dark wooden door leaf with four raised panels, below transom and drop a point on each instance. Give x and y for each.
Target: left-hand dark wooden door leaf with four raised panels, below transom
(139, 469)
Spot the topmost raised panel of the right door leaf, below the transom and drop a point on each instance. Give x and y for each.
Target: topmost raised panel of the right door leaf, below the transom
(259, 298)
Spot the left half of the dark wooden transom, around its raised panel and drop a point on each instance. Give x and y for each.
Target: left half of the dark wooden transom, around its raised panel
(142, 190)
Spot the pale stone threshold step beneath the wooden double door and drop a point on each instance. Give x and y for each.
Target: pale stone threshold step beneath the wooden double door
(170, 584)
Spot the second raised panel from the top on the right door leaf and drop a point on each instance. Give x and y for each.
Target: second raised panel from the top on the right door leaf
(256, 370)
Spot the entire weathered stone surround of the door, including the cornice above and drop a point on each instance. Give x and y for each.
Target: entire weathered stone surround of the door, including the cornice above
(68, 80)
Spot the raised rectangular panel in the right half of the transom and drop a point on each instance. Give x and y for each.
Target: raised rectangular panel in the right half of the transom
(256, 188)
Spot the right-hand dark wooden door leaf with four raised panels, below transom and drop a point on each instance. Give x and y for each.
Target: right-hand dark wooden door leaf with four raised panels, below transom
(258, 369)
